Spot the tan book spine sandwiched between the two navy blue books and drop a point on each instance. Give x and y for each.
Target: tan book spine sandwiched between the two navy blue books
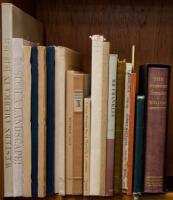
(42, 121)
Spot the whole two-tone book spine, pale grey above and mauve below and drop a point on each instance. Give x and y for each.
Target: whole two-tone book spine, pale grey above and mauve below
(111, 124)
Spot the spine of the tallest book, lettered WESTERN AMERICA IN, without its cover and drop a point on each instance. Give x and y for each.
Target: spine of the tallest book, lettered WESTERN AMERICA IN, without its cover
(6, 84)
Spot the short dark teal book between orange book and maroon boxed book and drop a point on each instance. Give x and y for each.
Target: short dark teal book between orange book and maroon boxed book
(138, 145)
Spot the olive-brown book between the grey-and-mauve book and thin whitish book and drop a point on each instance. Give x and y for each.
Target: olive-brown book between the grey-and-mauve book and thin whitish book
(119, 124)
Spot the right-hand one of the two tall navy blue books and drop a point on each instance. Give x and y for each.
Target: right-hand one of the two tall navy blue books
(50, 59)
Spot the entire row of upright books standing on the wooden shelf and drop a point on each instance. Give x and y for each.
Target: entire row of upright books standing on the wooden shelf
(68, 132)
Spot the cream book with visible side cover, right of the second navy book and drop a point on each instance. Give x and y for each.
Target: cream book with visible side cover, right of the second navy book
(65, 59)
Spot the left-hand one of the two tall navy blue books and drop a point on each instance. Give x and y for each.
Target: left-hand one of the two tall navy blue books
(34, 121)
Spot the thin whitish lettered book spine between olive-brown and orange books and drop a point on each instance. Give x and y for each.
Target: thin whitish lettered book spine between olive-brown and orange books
(126, 125)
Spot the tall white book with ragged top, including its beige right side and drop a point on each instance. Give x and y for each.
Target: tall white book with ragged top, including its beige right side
(99, 114)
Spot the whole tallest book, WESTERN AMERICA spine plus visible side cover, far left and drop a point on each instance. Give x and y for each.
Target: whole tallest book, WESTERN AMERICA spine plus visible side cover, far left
(17, 24)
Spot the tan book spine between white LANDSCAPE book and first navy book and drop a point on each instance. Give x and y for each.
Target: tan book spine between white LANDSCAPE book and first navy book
(26, 122)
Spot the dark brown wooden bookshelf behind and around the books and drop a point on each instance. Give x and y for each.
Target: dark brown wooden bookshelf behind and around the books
(146, 23)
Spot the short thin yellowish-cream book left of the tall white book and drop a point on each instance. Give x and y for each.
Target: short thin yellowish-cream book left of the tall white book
(87, 144)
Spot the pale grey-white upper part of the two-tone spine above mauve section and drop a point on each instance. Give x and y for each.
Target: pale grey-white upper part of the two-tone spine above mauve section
(112, 95)
